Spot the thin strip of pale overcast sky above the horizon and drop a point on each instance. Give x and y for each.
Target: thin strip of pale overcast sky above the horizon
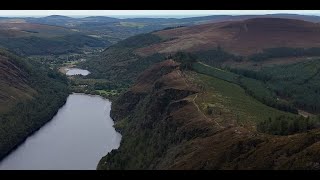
(148, 13)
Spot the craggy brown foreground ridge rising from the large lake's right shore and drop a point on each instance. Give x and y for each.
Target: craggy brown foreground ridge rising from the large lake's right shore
(163, 128)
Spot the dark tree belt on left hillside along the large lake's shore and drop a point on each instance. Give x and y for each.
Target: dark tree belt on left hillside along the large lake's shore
(27, 116)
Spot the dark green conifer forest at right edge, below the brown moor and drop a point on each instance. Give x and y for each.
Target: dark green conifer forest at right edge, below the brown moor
(296, 83)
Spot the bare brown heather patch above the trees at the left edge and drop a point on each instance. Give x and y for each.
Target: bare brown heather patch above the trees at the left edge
(13, 83)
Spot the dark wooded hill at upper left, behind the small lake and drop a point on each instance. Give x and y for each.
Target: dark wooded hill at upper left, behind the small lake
(40, 39)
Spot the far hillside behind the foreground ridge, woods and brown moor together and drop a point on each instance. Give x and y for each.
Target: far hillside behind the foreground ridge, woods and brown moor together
(246, 47)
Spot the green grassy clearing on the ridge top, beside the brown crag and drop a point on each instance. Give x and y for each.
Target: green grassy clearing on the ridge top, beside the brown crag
(225, 95)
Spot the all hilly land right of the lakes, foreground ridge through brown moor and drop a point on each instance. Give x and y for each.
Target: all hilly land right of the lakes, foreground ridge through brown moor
(190, 112)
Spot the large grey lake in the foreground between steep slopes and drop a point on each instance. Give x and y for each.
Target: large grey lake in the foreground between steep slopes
(75, 139)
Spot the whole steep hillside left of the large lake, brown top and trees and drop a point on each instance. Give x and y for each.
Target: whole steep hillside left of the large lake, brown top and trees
(30, 95)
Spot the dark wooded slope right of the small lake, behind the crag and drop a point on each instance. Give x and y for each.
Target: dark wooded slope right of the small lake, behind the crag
(119, 64)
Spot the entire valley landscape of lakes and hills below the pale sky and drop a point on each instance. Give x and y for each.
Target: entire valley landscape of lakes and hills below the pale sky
(212, 92)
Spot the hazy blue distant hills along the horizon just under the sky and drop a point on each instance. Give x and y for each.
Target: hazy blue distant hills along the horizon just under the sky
(115, 29)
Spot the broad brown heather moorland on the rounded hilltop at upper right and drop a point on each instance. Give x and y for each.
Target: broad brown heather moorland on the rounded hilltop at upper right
(239, 37)
